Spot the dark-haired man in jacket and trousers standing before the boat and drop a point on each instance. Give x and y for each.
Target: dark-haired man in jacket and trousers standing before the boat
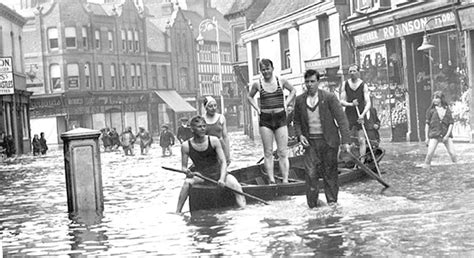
(315, 112)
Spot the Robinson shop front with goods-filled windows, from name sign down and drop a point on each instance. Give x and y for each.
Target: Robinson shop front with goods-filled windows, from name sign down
(402, 78)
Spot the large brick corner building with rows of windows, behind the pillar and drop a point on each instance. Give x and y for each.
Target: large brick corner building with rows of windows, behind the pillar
(88, 65)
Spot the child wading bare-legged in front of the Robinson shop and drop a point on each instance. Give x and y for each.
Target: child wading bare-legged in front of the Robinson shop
(438, 128)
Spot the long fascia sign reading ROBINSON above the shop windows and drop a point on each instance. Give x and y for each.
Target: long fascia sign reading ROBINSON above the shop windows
(405, 28)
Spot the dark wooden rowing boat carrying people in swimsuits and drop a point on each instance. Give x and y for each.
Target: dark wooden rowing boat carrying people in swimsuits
(254, 181)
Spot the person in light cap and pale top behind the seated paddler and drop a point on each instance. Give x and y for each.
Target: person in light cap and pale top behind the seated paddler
(216, 125)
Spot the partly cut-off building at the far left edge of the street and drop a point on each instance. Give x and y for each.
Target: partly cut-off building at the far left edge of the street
(14, 102)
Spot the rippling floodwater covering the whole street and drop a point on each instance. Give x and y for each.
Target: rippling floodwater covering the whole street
(424, 213)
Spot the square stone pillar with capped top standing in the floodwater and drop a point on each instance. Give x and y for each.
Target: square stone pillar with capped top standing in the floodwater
(83, 170)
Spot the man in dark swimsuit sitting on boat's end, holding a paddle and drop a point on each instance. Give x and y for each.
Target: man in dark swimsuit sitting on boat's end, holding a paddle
(208, 158)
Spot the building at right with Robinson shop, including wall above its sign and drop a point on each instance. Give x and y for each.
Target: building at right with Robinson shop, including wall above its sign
(386, 37)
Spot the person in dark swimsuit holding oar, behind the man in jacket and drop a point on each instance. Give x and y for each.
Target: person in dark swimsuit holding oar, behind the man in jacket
(356, 94)
